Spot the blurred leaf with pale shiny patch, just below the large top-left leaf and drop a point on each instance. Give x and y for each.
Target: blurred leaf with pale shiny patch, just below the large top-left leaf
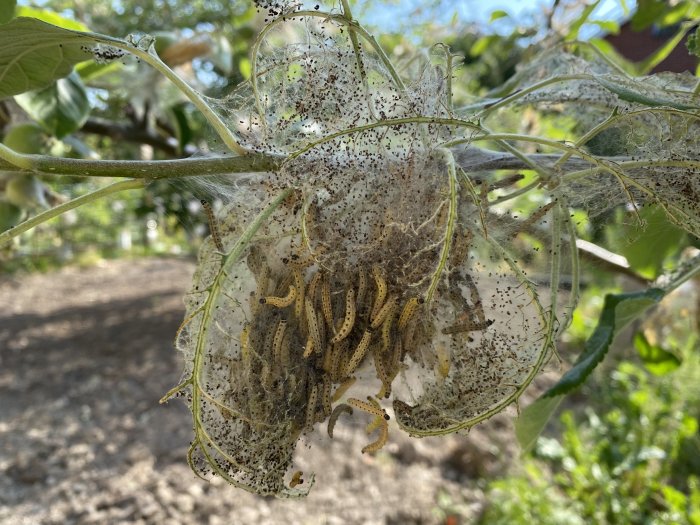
(60, 108)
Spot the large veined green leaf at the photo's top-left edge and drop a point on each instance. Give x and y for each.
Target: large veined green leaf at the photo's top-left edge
(33, 54)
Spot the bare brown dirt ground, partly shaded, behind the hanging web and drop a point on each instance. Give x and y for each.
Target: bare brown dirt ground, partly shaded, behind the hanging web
(85, 355)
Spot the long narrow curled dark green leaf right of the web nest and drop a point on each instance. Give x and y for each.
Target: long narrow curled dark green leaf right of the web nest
(618, 311)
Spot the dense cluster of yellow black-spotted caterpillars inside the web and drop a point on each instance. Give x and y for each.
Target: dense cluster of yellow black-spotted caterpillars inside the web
(325, 327)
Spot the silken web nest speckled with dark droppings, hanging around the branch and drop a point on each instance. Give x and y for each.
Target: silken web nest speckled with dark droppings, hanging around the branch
(371, 257)
